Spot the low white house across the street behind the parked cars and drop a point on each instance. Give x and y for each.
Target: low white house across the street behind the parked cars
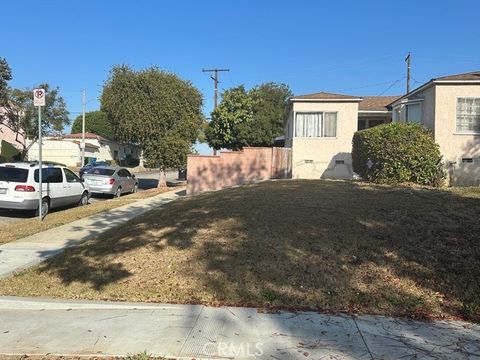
(67, 150)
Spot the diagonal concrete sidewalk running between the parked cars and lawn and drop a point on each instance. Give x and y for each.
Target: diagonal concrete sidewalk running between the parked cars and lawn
(30, 251)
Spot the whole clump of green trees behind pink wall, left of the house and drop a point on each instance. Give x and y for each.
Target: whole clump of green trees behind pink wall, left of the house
(248, 118)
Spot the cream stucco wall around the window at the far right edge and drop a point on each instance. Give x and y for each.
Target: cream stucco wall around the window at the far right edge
(454, 146)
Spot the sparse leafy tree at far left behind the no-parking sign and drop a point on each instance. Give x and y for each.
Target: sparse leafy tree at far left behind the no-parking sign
(21, 116)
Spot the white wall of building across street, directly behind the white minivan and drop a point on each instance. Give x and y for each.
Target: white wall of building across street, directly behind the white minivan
(64, 152)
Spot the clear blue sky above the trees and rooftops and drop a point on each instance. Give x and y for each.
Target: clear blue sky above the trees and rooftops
(355, 47)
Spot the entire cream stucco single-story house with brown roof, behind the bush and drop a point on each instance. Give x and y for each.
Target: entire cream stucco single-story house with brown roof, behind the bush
(319, 127)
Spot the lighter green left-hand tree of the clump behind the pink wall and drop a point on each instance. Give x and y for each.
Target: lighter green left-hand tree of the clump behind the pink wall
(231, 120)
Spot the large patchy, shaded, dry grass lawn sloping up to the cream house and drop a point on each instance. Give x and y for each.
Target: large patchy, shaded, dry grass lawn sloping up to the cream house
(327, 245)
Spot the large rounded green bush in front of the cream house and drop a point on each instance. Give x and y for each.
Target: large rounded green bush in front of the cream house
(397, 153)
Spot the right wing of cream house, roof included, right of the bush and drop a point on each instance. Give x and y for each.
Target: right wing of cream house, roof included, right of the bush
(450, 106)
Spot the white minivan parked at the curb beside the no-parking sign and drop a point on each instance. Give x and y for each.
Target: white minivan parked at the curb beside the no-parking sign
(19, 187)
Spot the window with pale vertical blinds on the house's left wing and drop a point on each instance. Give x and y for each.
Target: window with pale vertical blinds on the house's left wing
(322, 124)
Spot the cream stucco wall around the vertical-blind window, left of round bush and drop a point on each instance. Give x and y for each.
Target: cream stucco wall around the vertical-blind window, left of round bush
(314, 158)
